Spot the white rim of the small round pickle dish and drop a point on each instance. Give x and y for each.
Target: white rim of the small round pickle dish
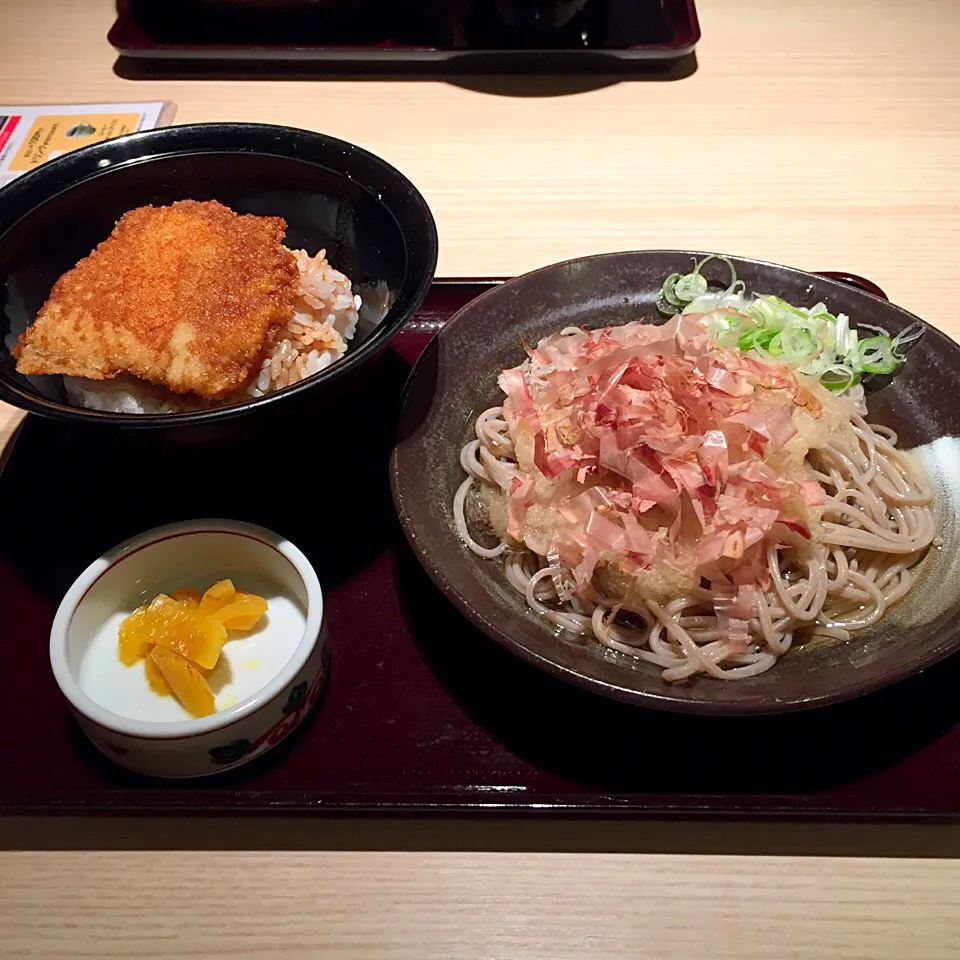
(87, 707)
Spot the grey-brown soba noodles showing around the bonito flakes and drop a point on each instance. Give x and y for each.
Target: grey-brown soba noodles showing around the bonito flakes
(874, 528)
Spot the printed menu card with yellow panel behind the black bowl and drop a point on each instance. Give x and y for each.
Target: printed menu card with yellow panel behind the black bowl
(32, 135)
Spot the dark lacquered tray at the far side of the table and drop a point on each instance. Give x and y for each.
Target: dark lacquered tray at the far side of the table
(403, 32)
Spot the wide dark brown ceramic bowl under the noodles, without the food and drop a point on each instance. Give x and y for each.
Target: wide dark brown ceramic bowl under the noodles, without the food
(456, 379)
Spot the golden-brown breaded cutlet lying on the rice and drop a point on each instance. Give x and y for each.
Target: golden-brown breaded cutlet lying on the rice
(183, 296)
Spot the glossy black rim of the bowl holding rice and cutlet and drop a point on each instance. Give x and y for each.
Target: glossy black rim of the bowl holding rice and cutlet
(62, 174)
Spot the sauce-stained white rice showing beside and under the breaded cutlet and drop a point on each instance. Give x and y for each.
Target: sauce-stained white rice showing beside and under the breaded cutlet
(324, 321)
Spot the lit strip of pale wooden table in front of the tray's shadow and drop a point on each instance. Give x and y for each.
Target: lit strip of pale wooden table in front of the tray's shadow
(458, 906)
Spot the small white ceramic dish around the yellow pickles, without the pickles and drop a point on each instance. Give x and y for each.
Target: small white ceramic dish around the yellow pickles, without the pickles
(264, 685)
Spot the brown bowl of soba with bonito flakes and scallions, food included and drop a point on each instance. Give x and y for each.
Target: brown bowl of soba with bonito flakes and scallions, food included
(689, 481)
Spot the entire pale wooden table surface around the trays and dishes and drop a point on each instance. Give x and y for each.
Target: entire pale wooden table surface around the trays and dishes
(820, 133)
